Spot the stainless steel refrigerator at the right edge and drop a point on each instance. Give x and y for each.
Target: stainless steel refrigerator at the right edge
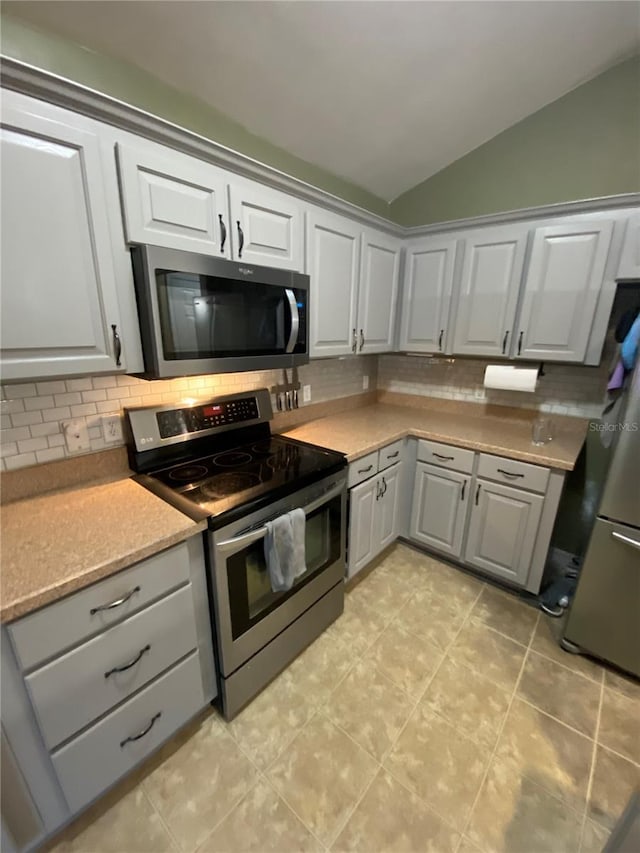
(604, 619)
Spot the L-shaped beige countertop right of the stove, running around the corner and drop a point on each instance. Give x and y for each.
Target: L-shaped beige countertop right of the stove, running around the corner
(506, 432)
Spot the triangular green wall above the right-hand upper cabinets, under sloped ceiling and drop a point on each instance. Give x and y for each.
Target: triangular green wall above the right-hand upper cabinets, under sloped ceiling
(584, 145)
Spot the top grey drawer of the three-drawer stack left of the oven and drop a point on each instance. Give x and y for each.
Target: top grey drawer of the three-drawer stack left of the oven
(56, 628)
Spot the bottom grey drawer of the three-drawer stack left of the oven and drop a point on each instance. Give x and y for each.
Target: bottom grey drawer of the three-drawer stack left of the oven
(94, 760)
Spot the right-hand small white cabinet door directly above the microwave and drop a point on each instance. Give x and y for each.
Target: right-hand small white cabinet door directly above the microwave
(267, 226)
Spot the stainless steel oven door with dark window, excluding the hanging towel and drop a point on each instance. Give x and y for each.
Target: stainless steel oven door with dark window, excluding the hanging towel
(248, 613)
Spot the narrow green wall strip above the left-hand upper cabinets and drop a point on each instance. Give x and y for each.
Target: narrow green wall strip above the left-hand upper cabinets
(131, 84)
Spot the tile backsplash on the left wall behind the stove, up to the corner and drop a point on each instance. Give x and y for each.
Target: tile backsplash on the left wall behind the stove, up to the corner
(32, 413)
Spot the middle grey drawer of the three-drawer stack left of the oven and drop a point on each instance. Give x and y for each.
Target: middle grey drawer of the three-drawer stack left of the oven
(78, 687)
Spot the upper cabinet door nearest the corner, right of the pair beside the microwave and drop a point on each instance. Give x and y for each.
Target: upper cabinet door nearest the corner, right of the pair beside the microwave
(378, 292)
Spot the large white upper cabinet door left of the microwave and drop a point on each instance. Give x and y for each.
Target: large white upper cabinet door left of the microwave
(59, 305)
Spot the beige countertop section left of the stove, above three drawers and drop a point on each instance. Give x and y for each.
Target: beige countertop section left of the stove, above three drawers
(60, 542)
